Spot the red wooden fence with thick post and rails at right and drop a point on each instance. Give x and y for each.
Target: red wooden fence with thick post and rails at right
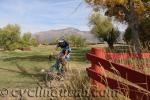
(140, 88)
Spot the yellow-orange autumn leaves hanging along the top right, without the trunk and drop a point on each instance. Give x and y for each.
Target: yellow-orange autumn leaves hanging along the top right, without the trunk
(139, 7)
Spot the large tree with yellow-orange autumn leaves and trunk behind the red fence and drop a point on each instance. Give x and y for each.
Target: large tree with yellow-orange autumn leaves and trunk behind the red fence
(131, 11)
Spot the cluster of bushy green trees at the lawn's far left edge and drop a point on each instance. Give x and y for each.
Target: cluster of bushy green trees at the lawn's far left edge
(11, 38)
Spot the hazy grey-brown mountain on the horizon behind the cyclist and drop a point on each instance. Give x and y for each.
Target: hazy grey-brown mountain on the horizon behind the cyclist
(51, 35)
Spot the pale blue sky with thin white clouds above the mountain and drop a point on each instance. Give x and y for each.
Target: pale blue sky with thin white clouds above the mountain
(42, 15)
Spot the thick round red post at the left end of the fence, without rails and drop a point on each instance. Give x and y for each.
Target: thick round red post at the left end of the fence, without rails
(99, 52)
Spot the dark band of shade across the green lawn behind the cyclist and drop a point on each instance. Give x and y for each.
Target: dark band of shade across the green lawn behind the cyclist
(77, 54)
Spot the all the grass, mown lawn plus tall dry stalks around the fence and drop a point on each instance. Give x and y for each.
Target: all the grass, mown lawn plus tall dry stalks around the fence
(34, 61)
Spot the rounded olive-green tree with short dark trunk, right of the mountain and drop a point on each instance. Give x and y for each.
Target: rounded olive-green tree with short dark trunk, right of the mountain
(102, 27)
